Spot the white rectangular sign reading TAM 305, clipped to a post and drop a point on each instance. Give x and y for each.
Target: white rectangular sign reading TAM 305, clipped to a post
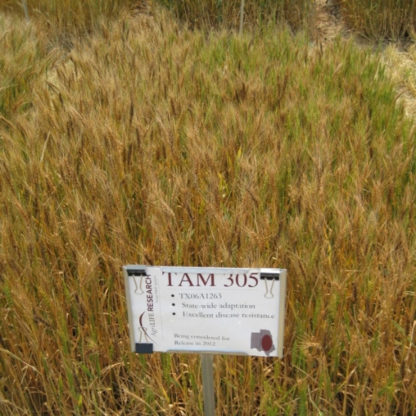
(208, 310)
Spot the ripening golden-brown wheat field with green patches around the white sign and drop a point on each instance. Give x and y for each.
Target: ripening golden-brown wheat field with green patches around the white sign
(140, 133)
